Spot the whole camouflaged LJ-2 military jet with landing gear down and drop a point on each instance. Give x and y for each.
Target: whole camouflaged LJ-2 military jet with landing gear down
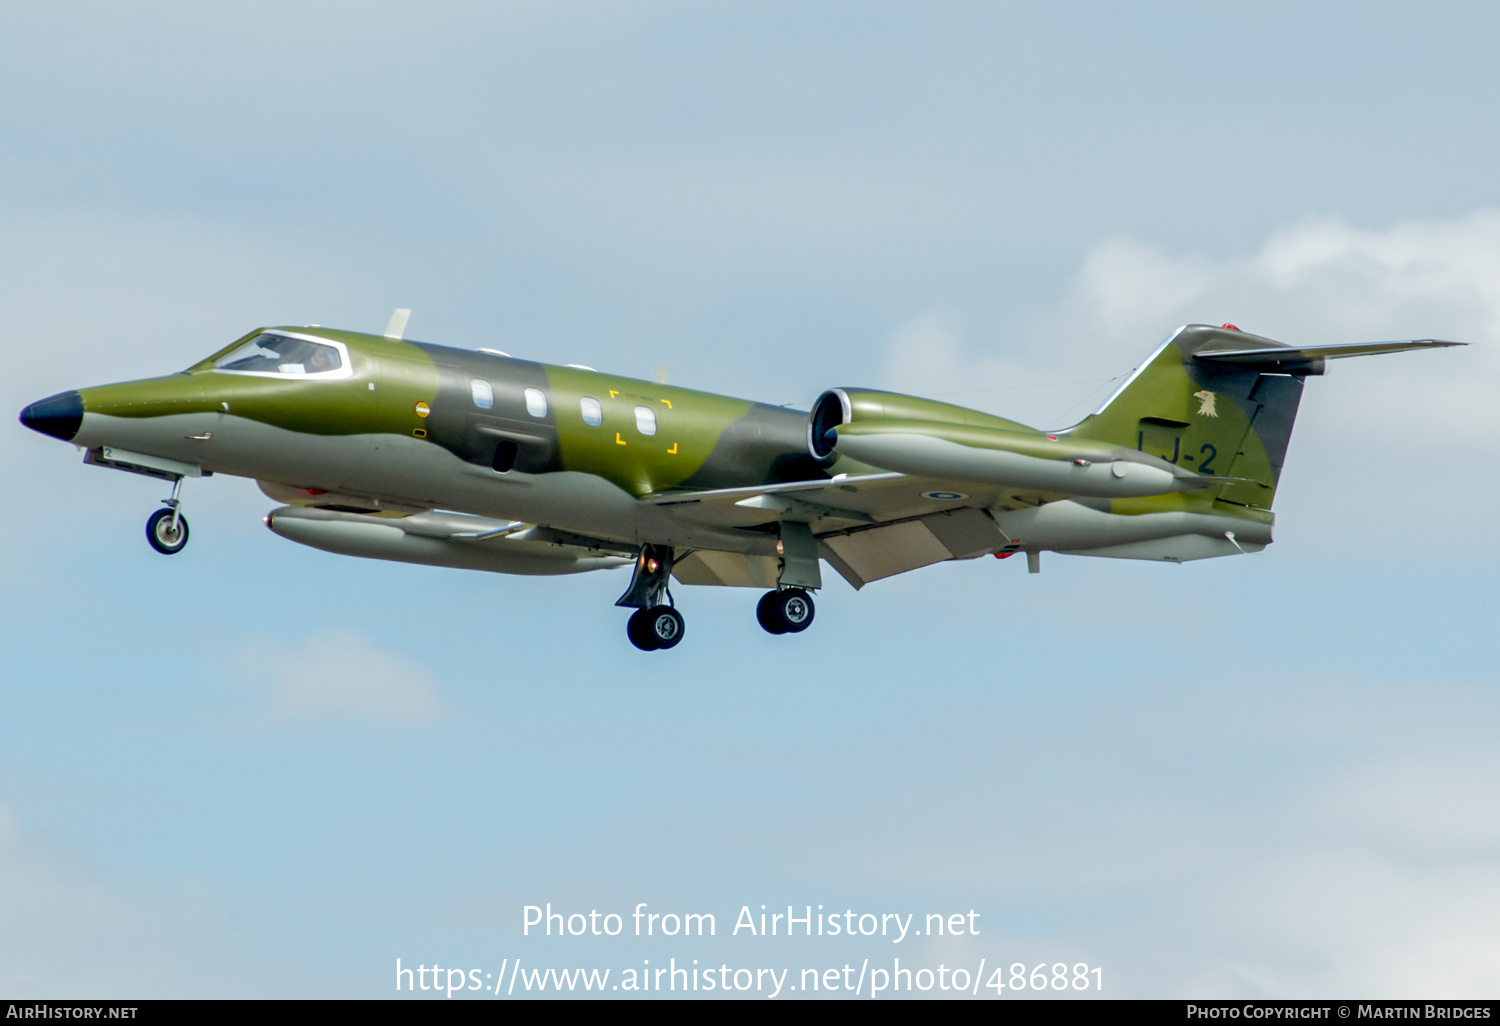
(383, 448)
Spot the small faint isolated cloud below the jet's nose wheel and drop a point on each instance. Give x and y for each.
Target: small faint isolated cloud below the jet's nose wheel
(341, 676)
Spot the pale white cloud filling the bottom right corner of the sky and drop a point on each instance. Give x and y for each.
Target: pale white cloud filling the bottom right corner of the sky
(1375, 875)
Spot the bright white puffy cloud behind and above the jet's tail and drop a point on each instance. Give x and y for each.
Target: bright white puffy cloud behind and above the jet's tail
(1313, 283)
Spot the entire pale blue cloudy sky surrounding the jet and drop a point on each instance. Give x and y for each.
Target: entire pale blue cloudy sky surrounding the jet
(262, 770)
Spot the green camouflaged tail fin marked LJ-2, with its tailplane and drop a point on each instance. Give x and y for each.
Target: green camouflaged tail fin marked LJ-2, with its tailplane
(1219, 401)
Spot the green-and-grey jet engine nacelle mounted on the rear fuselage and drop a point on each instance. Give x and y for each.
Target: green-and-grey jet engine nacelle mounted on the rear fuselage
(928, 439)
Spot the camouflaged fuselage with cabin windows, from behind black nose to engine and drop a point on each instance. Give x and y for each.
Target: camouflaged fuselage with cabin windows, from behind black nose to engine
(404, 430)
